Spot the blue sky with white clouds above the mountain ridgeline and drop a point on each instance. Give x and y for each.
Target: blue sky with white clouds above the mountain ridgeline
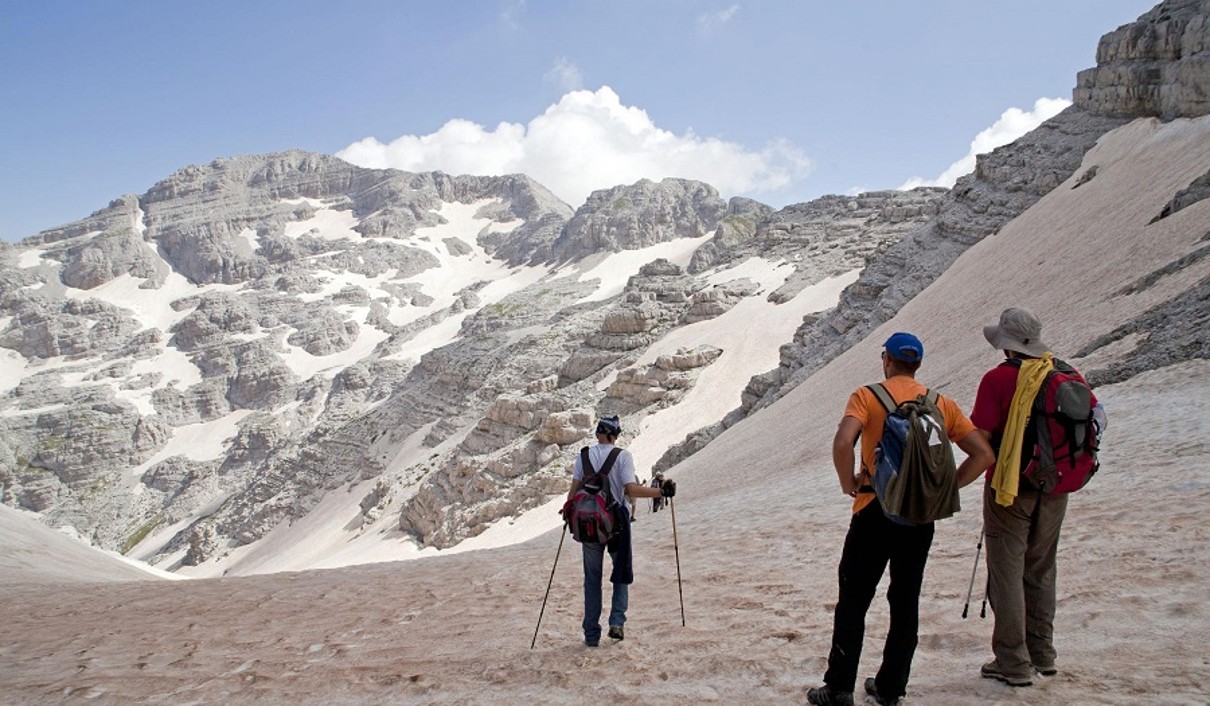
(780, 101)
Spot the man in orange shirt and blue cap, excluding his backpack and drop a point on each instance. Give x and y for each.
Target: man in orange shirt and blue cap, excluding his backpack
(874, 541)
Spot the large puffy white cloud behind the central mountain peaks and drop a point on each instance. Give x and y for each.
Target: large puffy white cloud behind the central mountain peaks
(585, 142)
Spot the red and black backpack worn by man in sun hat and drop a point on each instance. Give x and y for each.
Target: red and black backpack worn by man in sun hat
(1059, 451)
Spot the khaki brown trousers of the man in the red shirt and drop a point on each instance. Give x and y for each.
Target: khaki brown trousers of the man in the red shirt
(1022, 544)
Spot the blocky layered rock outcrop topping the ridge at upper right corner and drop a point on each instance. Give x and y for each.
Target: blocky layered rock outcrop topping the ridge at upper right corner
(1159, 66)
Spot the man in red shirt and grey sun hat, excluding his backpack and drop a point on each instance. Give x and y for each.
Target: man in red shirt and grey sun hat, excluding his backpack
(1022, 523)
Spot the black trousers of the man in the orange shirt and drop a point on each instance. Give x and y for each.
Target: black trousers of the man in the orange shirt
(873, 543)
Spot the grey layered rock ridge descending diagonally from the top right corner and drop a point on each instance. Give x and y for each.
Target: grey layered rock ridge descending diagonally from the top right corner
(1159, 66)
